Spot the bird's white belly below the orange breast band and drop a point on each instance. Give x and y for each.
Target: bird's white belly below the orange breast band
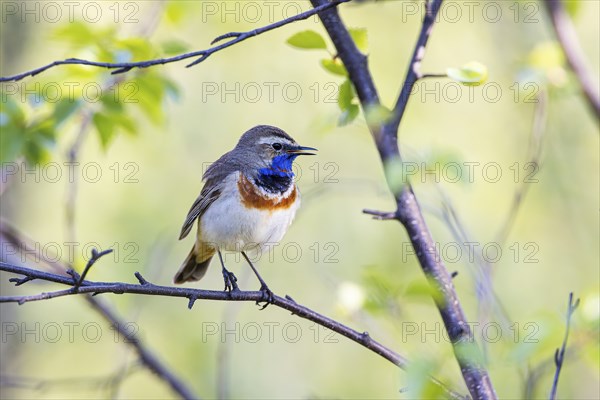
(229, 225)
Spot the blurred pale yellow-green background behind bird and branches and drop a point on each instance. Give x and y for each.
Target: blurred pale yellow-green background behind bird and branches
(150, 142)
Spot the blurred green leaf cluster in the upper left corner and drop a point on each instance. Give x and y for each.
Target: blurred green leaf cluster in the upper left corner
(33, 119)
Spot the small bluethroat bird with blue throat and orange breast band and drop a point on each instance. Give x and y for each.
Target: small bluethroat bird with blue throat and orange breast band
(249, 199)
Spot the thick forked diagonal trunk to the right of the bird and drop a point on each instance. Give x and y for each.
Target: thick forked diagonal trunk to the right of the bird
(408, 211)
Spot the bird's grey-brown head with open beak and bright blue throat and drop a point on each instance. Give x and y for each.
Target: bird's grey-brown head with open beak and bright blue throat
(269, 152)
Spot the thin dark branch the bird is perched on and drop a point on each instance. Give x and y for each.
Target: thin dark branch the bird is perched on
(146, 288)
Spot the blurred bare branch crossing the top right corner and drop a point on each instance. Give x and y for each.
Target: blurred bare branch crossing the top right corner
(567, 37)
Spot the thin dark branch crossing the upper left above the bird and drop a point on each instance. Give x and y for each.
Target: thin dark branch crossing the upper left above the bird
(199, 55)
